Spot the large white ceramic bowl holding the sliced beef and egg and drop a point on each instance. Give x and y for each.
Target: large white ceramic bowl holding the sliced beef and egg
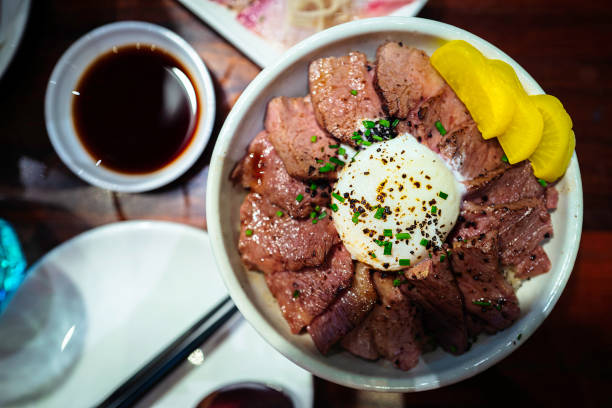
(248, 290)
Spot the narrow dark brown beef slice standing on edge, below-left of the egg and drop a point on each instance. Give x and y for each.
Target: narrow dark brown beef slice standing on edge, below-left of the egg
(346, 312)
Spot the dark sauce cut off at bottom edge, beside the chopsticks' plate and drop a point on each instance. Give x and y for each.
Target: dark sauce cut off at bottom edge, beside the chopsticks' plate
(246, 395)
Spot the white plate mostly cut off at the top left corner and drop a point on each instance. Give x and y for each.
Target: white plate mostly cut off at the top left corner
(13, 19)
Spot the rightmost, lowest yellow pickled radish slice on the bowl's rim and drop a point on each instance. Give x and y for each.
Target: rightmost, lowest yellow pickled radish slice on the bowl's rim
(551, 158)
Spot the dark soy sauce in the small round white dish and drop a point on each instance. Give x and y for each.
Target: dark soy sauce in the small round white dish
(135, 109)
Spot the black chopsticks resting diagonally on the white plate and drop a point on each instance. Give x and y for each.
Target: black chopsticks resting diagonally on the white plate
(168, 359)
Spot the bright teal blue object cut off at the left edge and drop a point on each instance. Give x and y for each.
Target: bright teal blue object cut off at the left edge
(12, 263)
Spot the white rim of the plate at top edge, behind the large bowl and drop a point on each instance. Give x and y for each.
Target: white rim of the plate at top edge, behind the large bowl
(255, 47)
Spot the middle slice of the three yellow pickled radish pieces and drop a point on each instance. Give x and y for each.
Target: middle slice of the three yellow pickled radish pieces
(524, 133)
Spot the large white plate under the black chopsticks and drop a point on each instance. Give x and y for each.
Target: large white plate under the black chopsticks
(93, 311)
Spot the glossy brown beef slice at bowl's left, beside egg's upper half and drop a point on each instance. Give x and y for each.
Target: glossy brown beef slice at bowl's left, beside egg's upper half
(263, 172)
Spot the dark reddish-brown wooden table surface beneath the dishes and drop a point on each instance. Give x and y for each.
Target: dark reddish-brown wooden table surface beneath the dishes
(564, 44)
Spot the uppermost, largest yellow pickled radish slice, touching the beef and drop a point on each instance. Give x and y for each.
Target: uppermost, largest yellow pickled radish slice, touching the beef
(465, 69)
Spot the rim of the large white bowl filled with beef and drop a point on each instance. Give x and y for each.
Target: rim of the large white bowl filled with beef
(213, 206)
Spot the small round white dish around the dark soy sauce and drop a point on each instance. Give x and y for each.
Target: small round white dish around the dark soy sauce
(68, 71)
